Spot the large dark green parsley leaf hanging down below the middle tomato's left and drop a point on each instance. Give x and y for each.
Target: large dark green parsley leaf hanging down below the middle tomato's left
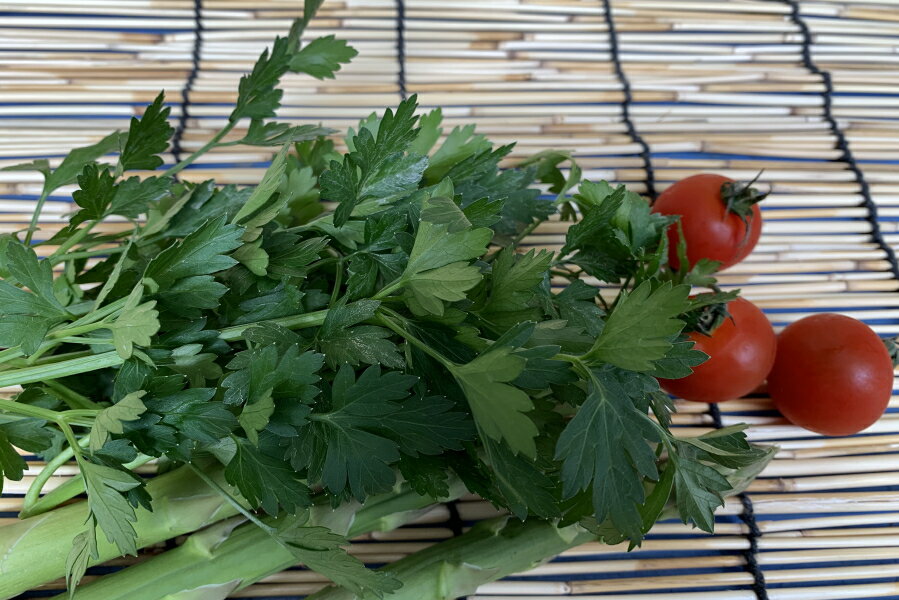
(605, 445)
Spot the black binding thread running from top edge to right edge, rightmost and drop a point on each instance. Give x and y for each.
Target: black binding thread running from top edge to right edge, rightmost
(842, 144)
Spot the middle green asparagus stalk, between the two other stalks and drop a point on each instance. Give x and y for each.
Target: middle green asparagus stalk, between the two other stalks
(230, 559)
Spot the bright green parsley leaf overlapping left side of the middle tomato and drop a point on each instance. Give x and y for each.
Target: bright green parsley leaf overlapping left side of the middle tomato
(641, 326)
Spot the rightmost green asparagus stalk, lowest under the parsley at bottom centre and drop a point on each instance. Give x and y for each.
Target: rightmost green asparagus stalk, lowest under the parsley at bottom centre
(489, 551)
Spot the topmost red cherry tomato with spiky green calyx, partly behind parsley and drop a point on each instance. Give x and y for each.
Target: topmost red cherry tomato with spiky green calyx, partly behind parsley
(710, 229)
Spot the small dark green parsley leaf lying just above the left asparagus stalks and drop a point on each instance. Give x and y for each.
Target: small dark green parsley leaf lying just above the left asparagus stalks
(264, 481)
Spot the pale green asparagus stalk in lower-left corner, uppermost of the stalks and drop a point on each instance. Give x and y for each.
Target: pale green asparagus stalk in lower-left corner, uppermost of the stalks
(33, 551)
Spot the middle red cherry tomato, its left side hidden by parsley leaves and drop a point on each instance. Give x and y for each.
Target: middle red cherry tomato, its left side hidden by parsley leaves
(741, 352)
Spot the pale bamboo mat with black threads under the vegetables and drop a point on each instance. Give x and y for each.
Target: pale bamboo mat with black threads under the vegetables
(645, 93)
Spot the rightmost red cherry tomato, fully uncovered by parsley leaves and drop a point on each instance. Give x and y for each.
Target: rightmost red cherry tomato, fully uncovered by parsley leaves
(833, 375)
